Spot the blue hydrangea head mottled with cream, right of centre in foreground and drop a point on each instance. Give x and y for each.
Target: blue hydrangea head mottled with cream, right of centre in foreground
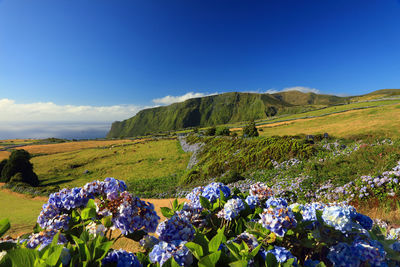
(278, 220)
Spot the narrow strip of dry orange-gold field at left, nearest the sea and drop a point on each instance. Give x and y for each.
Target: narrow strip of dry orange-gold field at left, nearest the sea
(71, 146)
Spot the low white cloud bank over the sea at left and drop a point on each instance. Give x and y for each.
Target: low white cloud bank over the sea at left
(11, 111)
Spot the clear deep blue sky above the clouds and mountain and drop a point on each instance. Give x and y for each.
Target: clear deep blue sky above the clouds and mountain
(93, 52)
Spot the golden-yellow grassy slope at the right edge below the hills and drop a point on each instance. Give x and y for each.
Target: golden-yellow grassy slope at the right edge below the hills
(383, 121)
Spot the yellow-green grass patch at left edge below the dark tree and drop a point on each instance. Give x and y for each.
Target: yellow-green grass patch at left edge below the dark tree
(22, 211)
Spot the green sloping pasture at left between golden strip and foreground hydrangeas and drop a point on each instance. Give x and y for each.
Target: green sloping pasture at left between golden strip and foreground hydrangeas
(129, 162)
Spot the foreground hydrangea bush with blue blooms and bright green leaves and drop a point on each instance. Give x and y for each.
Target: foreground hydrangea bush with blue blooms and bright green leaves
(217, 226)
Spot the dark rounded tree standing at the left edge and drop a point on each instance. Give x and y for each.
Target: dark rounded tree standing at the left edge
(18, 162)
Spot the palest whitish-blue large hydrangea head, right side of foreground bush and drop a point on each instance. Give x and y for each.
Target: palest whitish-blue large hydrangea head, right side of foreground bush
(341, 218)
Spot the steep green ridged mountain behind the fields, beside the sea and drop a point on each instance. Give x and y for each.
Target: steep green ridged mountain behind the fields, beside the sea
(220, 109)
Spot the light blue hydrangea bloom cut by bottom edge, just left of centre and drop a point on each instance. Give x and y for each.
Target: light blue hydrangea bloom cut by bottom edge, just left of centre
(163, 251)
